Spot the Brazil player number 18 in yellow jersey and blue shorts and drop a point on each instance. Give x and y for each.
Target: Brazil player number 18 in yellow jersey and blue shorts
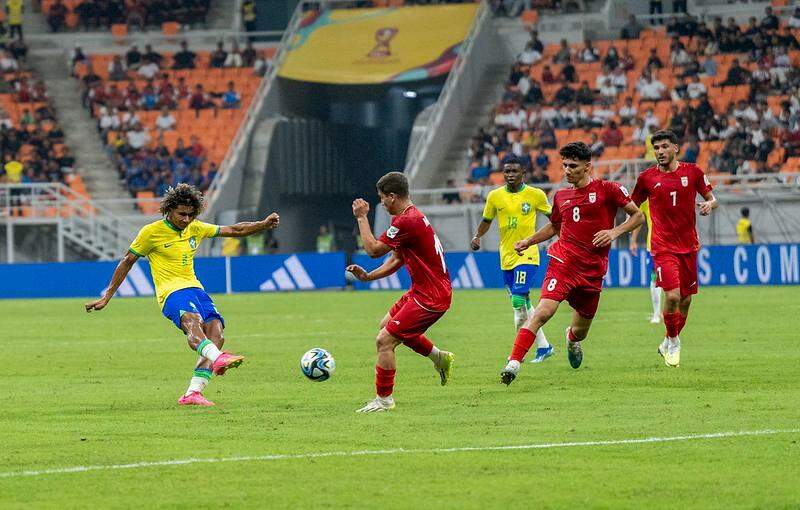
(515, 205)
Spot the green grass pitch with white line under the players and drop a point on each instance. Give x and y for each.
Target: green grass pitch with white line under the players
(101, 389)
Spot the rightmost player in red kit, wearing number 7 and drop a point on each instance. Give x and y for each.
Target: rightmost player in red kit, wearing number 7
(671, 188)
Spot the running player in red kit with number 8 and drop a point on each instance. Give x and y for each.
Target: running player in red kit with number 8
(583, 219)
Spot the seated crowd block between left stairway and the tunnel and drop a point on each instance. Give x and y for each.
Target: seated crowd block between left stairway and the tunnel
(140, 82)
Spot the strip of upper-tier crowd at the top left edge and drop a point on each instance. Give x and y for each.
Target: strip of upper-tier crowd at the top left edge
(98, 14)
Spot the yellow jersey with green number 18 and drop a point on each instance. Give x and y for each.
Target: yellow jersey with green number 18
(516, 218)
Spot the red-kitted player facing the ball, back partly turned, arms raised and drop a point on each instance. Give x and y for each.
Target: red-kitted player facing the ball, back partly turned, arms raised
(413, 243)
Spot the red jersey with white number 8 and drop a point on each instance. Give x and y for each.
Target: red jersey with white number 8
(581, 213)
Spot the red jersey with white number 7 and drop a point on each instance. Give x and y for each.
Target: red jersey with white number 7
(672, 206)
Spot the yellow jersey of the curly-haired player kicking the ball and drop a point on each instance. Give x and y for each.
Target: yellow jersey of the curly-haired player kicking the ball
(171, 254)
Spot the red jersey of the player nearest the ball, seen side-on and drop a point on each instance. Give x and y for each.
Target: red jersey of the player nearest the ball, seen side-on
(413, 238)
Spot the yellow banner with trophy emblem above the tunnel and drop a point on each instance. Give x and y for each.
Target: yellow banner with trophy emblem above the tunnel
(352, 46)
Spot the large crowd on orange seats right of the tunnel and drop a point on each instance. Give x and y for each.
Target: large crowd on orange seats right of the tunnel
(634, 93)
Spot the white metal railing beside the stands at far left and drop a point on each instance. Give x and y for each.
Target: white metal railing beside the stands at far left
(86, 223)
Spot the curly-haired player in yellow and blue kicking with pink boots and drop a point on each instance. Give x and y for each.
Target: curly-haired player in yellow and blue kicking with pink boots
(170, 245)
